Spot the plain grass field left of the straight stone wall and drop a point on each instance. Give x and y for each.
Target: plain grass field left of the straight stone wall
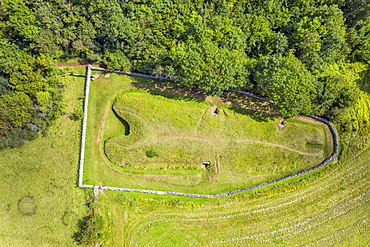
(40, 204)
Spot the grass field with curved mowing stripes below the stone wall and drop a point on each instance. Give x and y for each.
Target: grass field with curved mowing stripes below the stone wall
(328, 207)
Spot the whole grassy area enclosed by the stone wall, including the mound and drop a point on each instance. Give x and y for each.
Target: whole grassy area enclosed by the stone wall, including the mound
(150, 139)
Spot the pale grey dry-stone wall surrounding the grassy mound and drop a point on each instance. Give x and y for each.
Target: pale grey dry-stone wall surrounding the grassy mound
(332, 157)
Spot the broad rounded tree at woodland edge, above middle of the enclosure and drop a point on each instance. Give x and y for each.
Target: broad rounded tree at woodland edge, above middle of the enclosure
(210, 68)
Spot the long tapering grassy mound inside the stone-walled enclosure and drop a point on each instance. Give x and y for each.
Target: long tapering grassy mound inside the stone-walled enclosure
(167, 138)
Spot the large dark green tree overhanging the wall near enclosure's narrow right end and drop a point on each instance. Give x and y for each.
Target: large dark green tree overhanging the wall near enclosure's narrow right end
(287, 82)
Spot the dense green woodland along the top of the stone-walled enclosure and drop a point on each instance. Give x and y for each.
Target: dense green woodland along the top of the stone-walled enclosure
(309, 56)
